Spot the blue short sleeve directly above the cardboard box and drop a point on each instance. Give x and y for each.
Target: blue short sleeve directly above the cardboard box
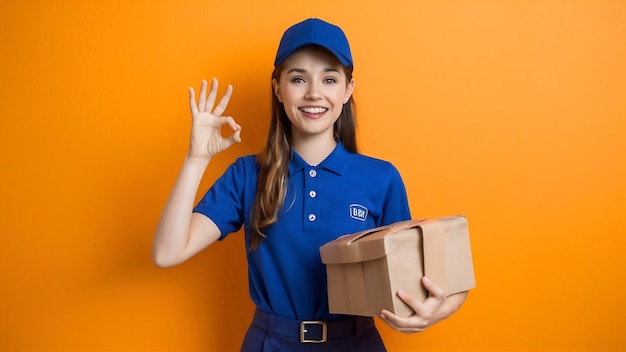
(396, 205)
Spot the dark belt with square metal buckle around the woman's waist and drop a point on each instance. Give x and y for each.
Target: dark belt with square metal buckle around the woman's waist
(312, 331)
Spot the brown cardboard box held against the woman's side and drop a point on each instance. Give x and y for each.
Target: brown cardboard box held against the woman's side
(366, 269)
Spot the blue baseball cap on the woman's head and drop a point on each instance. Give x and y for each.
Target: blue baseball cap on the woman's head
(314, 31)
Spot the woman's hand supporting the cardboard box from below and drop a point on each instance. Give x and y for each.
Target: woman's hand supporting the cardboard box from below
(434, 309)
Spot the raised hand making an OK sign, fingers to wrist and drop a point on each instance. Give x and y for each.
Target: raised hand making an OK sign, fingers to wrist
(207, 121)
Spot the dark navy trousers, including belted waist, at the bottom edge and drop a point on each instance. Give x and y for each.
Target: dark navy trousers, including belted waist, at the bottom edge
(269, 333)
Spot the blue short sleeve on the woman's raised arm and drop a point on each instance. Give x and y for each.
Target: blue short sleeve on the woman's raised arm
(225, 202)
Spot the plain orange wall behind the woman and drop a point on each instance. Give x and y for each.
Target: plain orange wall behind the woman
(510, 112)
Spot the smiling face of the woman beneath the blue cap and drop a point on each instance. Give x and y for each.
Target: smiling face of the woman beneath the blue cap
(312, 87)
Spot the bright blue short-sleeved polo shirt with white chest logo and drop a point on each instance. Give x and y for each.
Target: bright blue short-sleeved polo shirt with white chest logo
(346, 193)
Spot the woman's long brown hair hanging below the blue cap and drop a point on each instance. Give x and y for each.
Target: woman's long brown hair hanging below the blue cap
(274, 159)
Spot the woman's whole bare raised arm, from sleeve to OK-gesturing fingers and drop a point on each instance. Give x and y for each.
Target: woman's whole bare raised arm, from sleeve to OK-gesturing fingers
(181, 233)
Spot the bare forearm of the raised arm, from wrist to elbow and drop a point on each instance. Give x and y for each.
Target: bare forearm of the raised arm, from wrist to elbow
(172, 235)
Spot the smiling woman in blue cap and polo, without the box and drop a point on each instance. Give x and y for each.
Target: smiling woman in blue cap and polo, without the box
(299, 193)
